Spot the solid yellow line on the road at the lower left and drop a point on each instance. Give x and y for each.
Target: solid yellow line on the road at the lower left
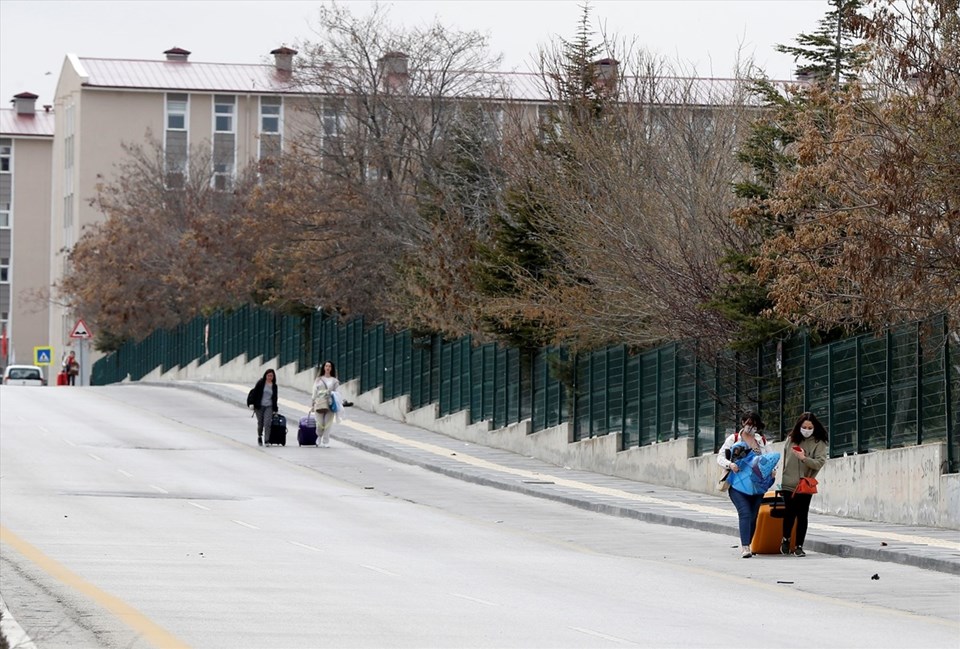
(149, 630)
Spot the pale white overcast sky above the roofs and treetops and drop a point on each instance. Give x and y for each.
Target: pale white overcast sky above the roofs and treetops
(35, 35)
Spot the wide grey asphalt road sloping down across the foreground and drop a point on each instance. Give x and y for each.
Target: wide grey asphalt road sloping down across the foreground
(136, 516)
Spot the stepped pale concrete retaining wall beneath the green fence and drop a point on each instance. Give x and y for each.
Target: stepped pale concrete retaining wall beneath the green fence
(907, 486)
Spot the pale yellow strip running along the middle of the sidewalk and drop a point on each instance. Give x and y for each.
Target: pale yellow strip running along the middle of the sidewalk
(607, 491)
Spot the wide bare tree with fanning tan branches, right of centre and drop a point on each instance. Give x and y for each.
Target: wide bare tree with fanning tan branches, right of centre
(631, 175)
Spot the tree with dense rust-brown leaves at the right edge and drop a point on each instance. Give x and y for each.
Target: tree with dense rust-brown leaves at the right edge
(871, 232)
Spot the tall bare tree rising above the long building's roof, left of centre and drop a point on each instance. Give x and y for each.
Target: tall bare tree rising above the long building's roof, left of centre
(381, 102)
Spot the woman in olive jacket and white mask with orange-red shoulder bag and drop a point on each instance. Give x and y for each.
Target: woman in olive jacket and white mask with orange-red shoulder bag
(804, 454)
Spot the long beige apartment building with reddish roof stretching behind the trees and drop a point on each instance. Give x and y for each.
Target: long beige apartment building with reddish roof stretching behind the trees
(244, 113)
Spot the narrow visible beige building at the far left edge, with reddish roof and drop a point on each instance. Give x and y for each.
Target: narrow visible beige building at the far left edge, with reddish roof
(26, 148)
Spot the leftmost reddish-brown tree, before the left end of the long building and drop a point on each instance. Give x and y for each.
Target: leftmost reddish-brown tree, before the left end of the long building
(165, 251)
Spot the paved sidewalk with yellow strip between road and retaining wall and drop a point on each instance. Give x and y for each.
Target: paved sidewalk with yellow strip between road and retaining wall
(922, 547)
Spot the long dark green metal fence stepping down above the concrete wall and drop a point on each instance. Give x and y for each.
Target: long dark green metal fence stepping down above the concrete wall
(873, 392)
